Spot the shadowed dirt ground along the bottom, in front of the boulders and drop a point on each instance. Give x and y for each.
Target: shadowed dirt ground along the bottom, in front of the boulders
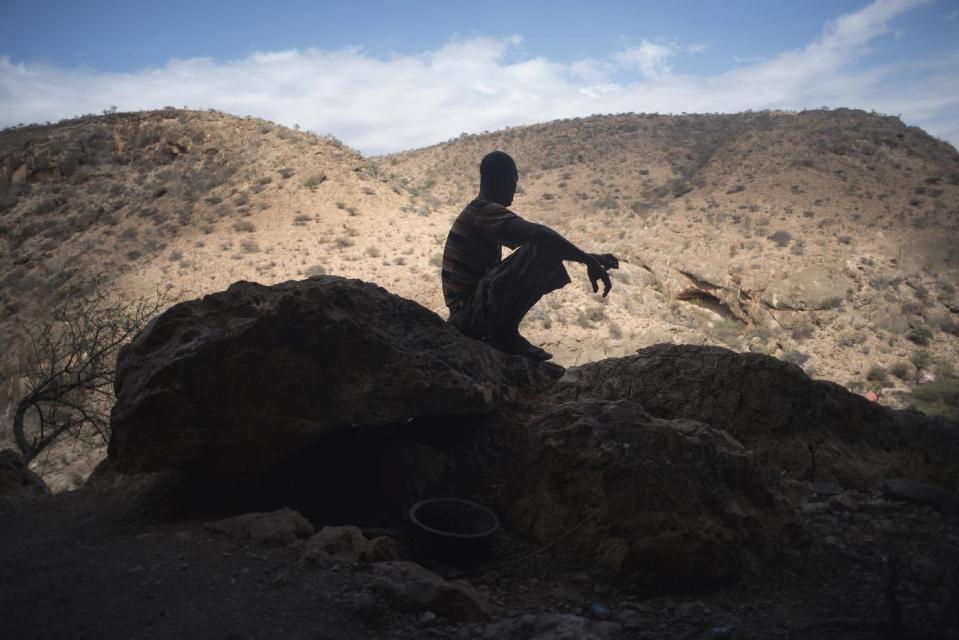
(112, 563)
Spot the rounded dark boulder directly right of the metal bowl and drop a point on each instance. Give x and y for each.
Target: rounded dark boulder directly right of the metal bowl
(665, 504)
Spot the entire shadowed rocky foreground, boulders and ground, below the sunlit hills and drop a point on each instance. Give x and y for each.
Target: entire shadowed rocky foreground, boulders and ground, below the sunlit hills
(272, 440)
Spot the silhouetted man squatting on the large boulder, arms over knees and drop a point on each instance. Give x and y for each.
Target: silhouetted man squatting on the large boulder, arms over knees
(488, 296)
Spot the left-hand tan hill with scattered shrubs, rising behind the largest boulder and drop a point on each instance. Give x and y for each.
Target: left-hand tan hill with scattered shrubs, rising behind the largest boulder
(189, 201)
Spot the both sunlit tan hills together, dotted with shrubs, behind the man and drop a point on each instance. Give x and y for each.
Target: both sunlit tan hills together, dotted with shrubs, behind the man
(827, 238)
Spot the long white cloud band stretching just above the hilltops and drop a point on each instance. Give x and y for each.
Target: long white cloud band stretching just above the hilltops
(476, 84)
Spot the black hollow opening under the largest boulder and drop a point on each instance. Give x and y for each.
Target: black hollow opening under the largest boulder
(362, 475)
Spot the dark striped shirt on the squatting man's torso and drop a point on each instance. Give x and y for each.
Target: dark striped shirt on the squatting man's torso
(473, 247)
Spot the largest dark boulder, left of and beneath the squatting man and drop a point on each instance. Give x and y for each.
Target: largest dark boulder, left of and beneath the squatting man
(241, 377)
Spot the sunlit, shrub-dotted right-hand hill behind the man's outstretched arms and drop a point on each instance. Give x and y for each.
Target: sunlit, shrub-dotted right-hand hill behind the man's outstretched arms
(826, 237)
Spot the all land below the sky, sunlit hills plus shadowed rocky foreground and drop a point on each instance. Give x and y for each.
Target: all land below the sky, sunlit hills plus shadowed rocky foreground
(663, 487)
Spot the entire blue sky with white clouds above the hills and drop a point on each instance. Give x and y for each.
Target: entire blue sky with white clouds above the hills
(386, 75)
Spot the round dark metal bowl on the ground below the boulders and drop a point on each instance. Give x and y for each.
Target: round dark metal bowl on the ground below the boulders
(455, 531)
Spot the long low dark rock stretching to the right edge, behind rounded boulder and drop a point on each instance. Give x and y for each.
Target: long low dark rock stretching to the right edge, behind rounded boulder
(774, 408)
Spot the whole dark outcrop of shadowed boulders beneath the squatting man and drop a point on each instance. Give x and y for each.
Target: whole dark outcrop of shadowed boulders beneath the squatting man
(668, 468)
